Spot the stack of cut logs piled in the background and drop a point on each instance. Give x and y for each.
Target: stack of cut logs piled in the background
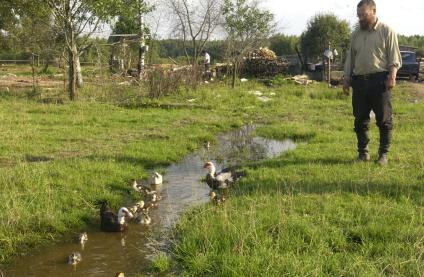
(263, 62)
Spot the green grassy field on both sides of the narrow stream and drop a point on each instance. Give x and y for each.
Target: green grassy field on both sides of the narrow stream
(313, 211)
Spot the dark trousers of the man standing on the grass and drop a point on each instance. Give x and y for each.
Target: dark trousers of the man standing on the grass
(370, 93)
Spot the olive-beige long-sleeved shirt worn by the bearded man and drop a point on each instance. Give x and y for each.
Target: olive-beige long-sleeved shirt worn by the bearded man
(372, 51)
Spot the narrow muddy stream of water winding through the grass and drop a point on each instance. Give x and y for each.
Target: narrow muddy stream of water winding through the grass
(105, 254)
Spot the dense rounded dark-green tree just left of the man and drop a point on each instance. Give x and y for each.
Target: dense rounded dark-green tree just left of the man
(321, 30)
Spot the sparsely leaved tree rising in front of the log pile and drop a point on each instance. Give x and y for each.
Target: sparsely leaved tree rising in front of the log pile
(247, 27)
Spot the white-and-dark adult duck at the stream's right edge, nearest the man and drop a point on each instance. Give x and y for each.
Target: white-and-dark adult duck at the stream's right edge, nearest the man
(223, 179)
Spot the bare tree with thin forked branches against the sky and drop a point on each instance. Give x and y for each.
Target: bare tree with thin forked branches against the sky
(196, 21)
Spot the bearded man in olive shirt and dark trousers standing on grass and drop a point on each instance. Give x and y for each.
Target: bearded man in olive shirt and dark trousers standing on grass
(371, 66)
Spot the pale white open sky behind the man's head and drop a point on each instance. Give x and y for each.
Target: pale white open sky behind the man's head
(406, 17)
